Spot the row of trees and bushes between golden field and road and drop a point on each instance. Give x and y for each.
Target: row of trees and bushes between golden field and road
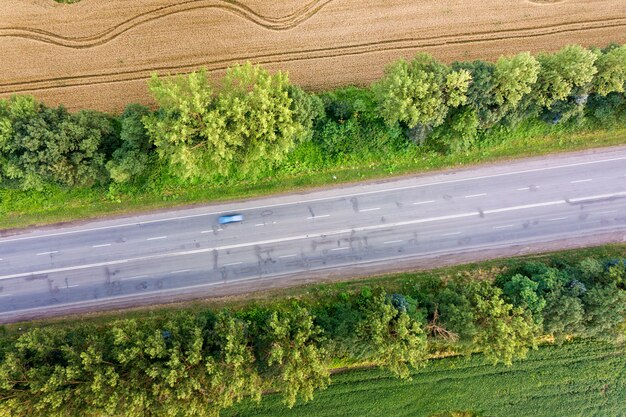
(252, 125)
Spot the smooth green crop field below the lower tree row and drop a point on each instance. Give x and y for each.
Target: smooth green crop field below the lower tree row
(582, 378)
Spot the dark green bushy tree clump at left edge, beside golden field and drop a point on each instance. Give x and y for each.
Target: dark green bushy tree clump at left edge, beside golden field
(40, 145)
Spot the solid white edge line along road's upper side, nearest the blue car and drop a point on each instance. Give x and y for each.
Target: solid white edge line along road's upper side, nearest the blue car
(480, 177)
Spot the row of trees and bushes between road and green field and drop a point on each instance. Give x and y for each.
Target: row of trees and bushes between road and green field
(196, 363)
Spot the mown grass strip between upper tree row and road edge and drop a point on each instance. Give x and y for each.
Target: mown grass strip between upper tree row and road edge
(55, 205)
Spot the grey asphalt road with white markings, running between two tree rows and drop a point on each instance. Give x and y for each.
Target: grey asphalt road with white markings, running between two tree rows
(185, 251)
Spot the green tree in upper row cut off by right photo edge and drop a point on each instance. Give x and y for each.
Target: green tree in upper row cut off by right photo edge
(611, 76)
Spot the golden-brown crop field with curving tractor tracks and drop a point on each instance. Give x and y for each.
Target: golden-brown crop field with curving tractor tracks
(99, 53)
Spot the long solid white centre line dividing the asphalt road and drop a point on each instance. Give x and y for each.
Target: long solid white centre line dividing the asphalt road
(311, 235)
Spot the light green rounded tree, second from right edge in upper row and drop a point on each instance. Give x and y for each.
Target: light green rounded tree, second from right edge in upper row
(562, 71)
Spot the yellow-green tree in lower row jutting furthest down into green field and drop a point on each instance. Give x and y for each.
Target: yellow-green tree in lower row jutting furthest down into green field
(295, 357)
